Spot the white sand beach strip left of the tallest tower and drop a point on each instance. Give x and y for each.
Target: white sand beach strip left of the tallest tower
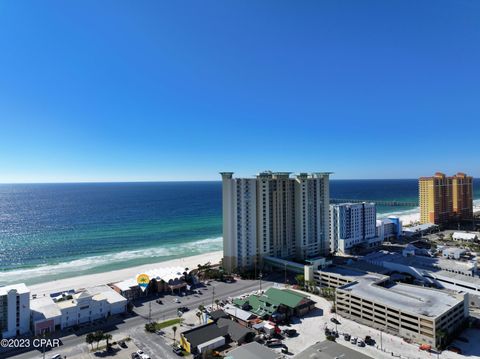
(90, 280)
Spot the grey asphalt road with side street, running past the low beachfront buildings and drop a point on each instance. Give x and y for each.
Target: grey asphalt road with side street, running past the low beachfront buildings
(74, 344)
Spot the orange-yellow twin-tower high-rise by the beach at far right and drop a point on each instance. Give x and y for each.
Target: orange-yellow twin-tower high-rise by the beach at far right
(443, 199)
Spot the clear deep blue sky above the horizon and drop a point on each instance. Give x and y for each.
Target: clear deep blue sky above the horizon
(180, 90)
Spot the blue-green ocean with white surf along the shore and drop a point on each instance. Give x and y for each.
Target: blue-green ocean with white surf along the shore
(55, 231)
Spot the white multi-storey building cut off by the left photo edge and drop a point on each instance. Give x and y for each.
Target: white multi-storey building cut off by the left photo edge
(14, 310)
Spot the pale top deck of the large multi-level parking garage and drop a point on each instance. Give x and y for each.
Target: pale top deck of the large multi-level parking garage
(404, 297)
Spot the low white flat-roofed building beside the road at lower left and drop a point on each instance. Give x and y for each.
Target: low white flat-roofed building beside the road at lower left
(74, 308)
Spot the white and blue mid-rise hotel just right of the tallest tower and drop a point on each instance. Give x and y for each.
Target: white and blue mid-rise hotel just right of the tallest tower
(353, 225)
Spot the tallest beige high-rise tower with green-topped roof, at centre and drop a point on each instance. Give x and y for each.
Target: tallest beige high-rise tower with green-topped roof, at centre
(274, 214)
